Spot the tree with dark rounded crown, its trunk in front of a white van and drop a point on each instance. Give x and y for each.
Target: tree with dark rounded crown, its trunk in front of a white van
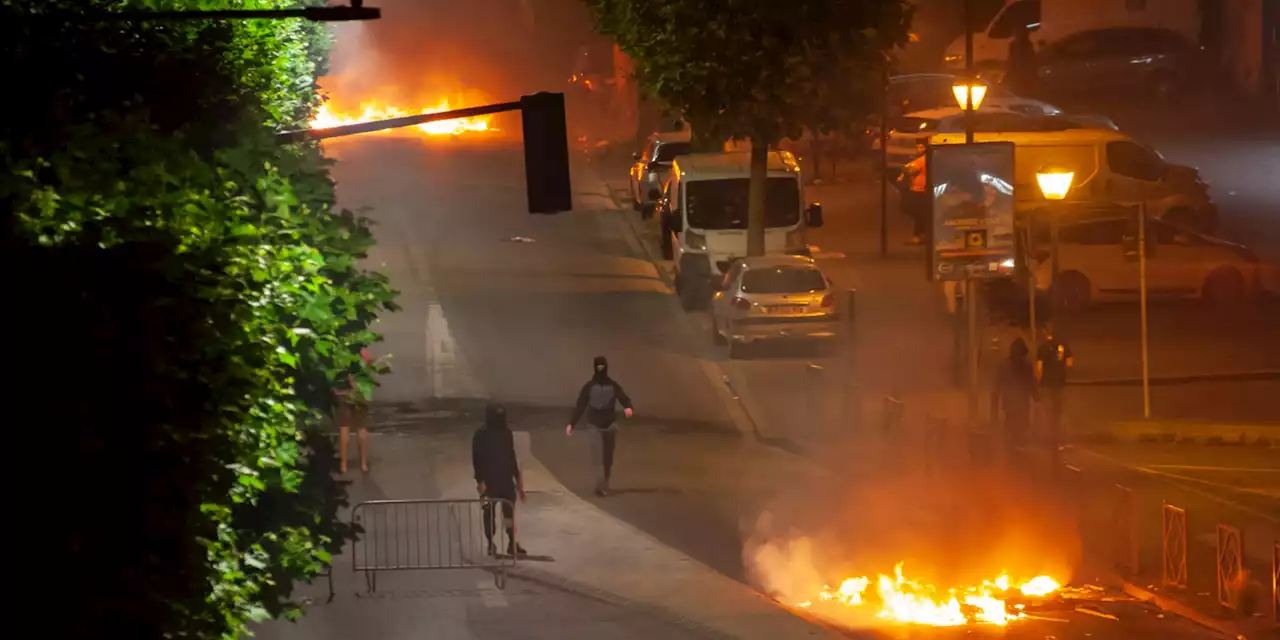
(758, 71)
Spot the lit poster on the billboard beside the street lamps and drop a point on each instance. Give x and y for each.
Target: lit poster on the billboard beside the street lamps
(972, 209)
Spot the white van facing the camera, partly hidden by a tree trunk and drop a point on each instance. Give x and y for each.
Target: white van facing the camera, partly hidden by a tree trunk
(703, 217)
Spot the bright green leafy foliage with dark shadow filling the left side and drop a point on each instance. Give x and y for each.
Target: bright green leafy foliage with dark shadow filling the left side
(189, 303)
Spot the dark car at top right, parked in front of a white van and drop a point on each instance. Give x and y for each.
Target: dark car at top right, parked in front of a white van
(1122, 61)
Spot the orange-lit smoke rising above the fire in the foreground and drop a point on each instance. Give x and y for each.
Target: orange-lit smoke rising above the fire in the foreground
(952, 527)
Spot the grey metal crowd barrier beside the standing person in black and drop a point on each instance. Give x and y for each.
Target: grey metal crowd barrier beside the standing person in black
(423, 536)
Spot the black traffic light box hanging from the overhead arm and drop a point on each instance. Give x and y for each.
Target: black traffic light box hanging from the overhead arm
(546, 153)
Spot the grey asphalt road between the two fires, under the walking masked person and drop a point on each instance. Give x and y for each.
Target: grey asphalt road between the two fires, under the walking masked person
(488, 316)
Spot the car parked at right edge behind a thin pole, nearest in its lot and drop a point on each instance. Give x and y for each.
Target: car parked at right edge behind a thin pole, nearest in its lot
(1099, 263)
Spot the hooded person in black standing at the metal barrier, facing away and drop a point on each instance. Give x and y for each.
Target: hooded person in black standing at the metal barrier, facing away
(497, 472)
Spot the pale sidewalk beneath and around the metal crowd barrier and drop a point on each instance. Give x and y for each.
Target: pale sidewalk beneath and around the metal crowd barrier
(607, 579)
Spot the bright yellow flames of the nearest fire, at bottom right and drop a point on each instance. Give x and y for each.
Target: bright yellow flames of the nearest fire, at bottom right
(900, 600)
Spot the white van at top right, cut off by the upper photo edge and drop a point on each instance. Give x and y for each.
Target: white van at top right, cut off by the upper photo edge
(1052, 21)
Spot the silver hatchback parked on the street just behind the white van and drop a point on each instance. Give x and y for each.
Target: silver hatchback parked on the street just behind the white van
(776, 298)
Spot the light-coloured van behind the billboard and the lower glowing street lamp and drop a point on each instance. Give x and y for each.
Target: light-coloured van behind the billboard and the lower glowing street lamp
(1110, 170)
